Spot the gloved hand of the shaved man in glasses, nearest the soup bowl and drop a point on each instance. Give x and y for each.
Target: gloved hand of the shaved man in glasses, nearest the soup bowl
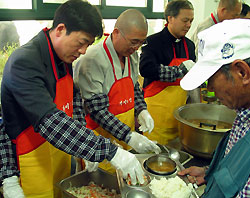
(142, 144)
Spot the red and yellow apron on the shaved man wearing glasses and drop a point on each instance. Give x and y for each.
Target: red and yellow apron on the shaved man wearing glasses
(121, 103)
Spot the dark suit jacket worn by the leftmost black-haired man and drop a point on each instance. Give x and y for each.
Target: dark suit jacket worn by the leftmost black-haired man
(29, 85)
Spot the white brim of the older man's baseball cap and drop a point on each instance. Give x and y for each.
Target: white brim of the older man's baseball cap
(197, 75)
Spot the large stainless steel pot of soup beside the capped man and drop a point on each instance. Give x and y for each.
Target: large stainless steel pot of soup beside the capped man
(202, 139)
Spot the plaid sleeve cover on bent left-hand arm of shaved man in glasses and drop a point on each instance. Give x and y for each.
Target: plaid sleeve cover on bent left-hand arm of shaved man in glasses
(97, 106)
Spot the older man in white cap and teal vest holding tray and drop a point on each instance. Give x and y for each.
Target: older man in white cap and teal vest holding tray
(224, 60)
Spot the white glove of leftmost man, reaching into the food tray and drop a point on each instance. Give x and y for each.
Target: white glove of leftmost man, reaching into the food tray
(128, 164)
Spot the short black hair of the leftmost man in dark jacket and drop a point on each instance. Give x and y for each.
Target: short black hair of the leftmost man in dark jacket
(79, 15)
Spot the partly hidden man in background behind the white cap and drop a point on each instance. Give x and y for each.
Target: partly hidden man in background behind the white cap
(227, 9)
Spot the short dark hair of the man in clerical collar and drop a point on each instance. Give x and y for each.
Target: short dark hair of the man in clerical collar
(173, 7)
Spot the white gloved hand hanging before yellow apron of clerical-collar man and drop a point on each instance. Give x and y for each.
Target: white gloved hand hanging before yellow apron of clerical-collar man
(146, 121)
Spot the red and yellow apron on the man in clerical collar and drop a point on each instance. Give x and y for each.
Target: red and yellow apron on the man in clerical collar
(162, 99)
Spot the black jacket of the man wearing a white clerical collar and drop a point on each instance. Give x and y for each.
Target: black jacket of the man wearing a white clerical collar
(159, 50)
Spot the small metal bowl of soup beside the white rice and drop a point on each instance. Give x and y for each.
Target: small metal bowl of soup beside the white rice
(160, 164)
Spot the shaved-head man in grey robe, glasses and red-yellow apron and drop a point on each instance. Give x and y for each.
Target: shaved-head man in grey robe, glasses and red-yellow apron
(107, 76)
